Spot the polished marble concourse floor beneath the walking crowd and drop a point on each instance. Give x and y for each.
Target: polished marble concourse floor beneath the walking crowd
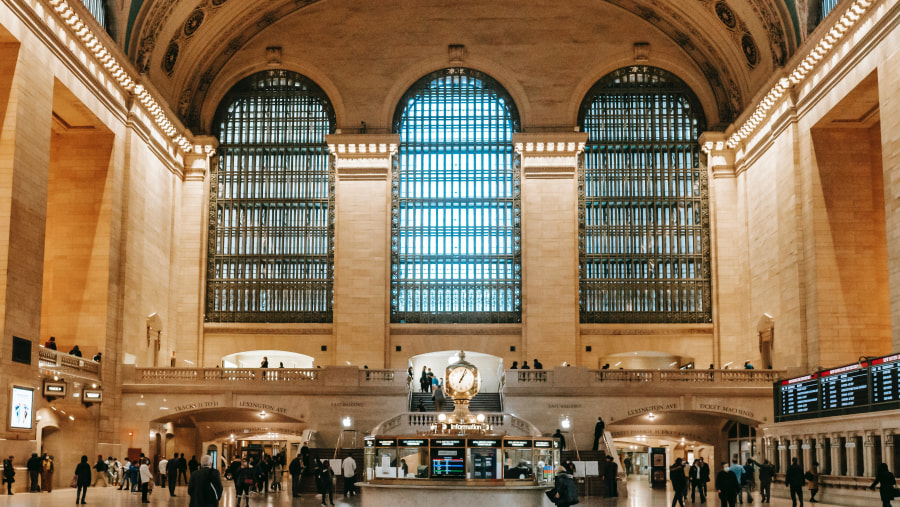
(639, 495)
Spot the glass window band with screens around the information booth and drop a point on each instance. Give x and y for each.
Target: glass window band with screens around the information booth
(509, 459)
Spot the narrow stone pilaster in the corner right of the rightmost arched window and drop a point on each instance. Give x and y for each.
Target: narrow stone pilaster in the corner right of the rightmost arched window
(729, 316)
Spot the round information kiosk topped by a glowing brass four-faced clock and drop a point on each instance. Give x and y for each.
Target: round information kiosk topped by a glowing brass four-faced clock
(458, 457)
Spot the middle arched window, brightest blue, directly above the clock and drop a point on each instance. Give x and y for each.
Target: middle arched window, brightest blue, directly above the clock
(455, 240)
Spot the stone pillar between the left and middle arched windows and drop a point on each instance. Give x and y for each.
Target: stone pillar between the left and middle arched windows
(362, 236)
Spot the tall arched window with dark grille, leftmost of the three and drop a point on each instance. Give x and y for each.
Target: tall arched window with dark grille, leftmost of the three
(271, 236)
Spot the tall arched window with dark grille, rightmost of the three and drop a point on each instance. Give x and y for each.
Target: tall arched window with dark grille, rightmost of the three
(644, 245)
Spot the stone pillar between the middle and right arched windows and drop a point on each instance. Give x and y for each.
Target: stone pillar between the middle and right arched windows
(550, 210)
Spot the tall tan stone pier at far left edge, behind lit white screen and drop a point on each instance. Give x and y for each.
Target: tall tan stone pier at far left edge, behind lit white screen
(25, 147)
